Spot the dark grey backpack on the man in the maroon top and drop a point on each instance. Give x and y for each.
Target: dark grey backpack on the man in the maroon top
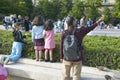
(71, 49)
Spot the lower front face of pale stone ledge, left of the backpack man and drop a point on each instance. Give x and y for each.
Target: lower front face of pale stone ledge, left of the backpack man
(33, 72)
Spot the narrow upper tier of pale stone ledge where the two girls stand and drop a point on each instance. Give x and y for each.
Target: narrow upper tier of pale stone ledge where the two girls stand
(85, 69)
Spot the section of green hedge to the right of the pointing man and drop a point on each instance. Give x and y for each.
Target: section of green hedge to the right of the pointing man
(102, 50)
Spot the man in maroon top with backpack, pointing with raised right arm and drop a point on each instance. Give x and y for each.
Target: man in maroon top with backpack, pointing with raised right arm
(71, 49)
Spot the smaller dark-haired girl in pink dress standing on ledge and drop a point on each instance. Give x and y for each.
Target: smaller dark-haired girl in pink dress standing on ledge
(49, 40)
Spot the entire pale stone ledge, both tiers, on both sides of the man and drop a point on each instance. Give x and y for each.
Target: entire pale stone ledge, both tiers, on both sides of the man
(28, 68)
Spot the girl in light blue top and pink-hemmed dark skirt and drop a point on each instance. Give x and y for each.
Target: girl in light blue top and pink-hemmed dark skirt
(37, 36)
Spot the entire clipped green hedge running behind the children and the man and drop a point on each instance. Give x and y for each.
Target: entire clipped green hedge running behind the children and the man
(98, 50)
